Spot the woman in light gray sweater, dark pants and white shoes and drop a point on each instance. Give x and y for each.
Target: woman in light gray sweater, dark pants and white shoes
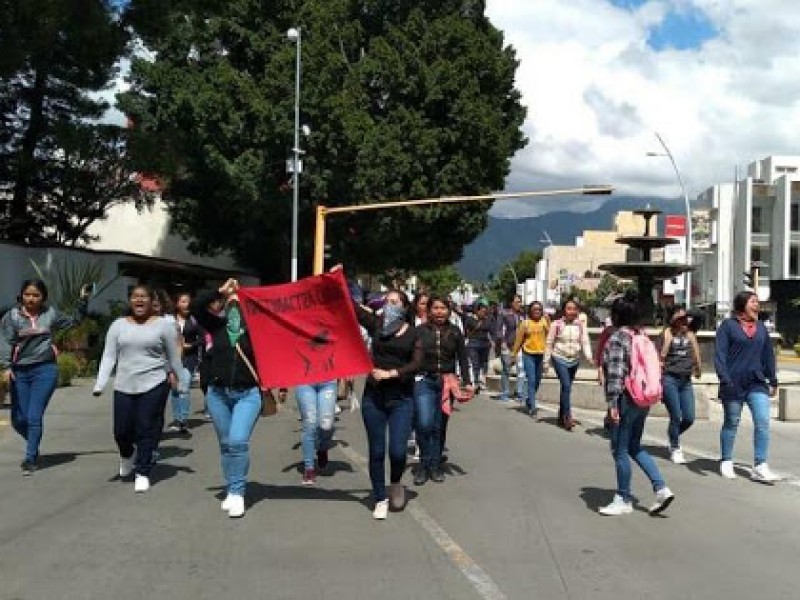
(144, 349)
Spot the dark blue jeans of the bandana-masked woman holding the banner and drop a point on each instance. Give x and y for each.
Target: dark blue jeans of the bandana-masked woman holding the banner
(387, 407)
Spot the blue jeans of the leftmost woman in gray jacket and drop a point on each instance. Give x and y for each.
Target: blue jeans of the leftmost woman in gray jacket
(31, 390)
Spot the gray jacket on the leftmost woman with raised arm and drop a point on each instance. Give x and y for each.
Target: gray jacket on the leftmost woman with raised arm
(29, 341)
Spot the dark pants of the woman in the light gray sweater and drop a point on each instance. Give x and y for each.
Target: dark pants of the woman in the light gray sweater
(138, 420)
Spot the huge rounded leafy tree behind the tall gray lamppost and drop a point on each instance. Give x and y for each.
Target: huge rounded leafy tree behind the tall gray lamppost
(404, 100)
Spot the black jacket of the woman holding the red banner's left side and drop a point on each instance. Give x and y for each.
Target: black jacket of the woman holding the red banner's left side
(225, 368)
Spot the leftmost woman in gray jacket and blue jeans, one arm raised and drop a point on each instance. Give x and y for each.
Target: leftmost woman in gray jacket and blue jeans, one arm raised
(28, 360)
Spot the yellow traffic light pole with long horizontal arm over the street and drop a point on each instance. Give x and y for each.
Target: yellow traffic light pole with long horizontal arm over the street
(323, 211)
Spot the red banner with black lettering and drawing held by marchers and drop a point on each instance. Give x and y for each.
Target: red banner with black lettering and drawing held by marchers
(304, 332)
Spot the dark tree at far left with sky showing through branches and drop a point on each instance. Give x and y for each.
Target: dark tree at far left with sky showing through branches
(60, 169)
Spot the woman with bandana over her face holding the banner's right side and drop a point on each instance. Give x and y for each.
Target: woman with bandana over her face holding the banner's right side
(388, 400)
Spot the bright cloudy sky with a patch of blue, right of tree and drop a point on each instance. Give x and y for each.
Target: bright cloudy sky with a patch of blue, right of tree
(718, 79)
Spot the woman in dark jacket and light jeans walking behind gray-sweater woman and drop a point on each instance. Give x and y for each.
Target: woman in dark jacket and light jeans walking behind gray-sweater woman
(191, 338)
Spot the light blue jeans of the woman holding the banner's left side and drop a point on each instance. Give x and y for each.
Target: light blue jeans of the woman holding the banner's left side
(234, 413)
